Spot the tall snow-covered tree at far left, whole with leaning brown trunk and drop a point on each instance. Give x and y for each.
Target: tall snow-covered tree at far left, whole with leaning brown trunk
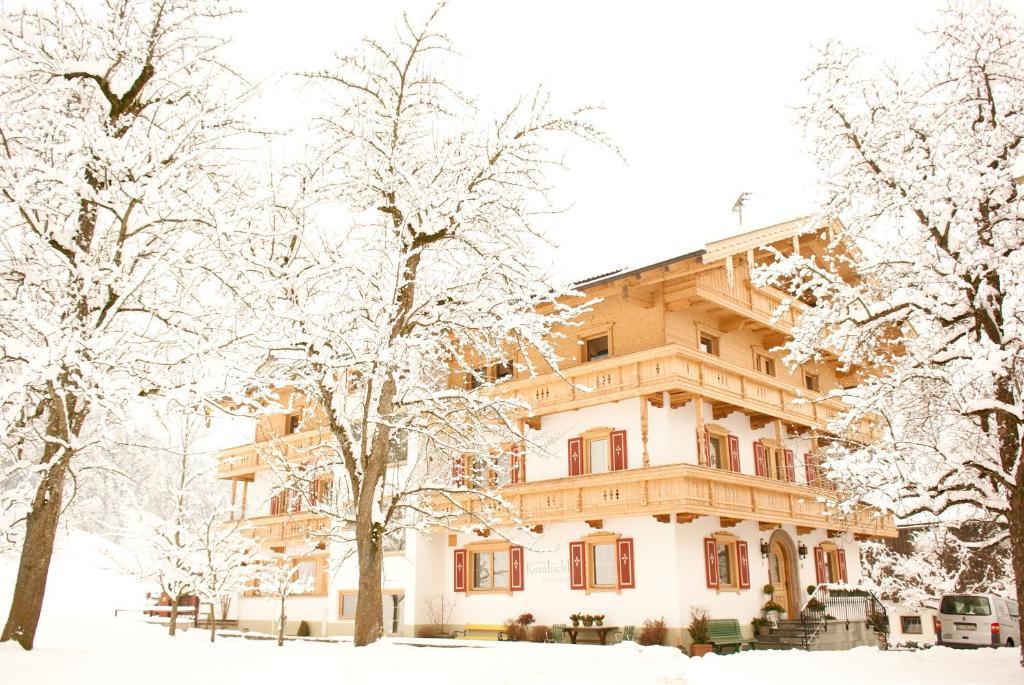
(115, 120)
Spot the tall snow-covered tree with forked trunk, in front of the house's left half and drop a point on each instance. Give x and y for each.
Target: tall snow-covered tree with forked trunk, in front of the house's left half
(401, 324)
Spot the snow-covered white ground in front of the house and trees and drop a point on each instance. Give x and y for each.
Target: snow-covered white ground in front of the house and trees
(81, 643)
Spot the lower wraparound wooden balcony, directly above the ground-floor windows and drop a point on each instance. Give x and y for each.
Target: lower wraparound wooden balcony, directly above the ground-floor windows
(681, 493)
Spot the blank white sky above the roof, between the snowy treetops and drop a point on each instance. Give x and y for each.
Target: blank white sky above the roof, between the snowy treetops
(699, 97)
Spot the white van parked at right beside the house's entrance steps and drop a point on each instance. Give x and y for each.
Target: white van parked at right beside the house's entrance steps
(977, 621)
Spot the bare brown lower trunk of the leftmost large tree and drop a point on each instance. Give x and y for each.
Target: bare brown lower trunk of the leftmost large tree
(37, 550)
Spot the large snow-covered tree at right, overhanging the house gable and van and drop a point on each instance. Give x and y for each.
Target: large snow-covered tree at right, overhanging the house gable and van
(922, 292)
